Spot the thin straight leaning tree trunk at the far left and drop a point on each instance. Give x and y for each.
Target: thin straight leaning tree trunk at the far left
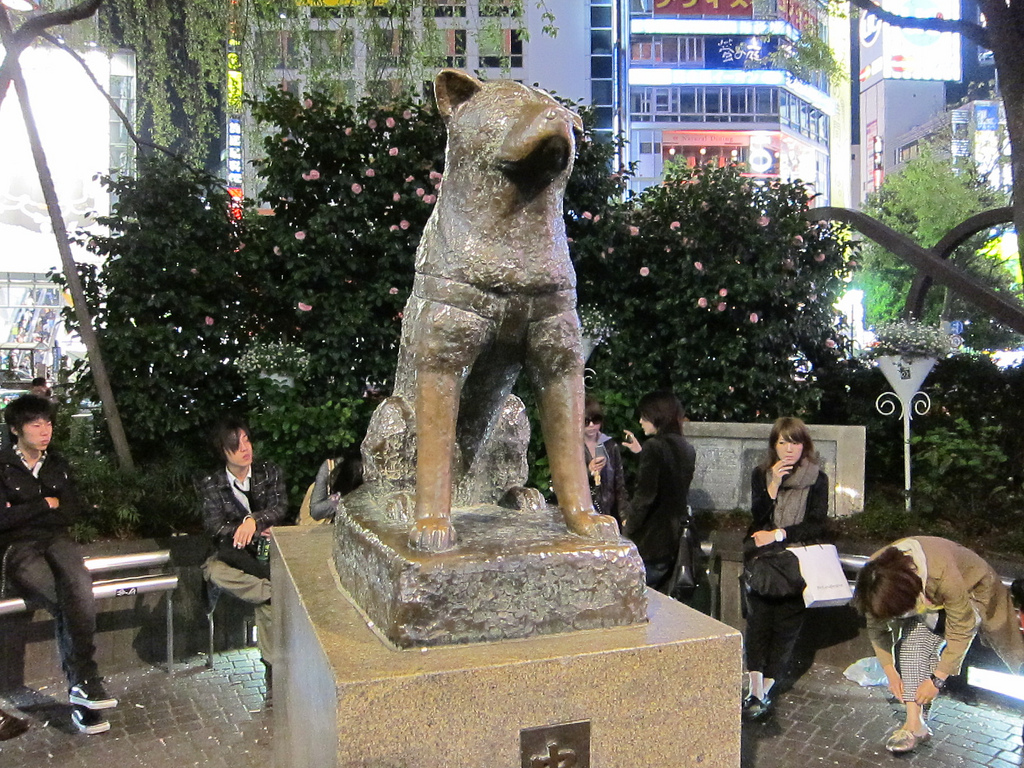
(71, 273)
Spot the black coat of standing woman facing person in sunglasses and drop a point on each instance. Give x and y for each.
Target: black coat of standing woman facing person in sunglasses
(659, 510)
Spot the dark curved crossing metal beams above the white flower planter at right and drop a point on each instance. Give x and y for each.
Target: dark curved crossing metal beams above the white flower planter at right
(932, 265)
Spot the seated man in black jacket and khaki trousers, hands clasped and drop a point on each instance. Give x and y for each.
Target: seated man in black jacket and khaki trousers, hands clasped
(241, 503)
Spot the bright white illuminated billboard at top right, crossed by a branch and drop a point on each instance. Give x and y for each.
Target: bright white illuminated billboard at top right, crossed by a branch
(898, 54)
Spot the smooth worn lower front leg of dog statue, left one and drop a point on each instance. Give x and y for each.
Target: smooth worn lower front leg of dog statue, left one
(437, 412)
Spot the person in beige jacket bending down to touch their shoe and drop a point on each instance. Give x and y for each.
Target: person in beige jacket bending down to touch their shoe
(926, 599)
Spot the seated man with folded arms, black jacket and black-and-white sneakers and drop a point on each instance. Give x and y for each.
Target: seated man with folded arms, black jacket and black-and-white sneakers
(42, 565)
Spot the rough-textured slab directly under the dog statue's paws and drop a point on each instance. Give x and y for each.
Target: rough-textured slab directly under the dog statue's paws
(516, 574)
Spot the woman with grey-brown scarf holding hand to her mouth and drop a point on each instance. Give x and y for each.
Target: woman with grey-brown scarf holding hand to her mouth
(790, 505)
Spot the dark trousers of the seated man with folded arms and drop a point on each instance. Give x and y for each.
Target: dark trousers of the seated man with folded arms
(53, 576)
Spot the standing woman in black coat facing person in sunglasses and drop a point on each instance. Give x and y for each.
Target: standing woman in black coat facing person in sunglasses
(659, 510)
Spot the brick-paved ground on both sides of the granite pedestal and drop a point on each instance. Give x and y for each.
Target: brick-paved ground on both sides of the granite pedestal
(218, 718)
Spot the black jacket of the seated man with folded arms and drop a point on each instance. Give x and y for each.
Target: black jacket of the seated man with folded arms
(25, 516)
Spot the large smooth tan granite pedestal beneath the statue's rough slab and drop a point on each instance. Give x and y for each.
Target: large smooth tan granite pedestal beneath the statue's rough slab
(661, 694)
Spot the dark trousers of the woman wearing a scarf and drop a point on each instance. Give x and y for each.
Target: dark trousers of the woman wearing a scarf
(774, 625)
